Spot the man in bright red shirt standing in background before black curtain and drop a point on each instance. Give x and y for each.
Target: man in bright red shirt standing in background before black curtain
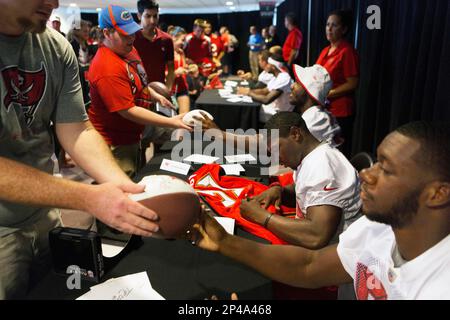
(293, 43)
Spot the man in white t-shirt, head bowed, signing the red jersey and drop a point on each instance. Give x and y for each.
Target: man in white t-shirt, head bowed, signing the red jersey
(325, 192)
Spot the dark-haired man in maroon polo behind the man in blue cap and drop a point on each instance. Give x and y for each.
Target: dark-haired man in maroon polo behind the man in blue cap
(154, 46)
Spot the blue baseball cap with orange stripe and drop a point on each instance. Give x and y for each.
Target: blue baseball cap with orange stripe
(118, 18)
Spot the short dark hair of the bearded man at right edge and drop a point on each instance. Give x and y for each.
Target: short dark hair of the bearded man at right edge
(434, 141)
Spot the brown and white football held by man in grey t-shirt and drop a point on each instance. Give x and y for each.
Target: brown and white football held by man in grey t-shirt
(174, 201)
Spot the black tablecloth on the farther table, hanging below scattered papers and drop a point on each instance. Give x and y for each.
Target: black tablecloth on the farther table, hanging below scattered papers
(229, 115)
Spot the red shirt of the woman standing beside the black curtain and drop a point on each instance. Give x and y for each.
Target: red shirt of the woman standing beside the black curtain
(341, 64)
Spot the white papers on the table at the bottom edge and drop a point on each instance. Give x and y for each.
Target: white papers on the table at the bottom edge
(131, 287)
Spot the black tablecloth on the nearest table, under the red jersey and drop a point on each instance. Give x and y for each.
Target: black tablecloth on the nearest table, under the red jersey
(176, 269)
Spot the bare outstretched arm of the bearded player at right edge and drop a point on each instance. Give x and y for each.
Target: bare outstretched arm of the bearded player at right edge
(292, 265)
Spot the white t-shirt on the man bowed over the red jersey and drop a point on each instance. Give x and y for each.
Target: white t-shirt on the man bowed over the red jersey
(326, 177)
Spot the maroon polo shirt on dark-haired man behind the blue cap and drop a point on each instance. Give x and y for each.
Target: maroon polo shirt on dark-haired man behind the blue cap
(155, 54)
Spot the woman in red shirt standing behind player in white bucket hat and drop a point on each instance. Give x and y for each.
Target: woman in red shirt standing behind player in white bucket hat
(341, 61)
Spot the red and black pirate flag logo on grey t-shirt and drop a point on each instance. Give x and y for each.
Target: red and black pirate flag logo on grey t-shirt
(24, 88)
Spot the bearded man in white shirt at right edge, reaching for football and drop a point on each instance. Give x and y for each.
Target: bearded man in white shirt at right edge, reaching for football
(400, 249)
